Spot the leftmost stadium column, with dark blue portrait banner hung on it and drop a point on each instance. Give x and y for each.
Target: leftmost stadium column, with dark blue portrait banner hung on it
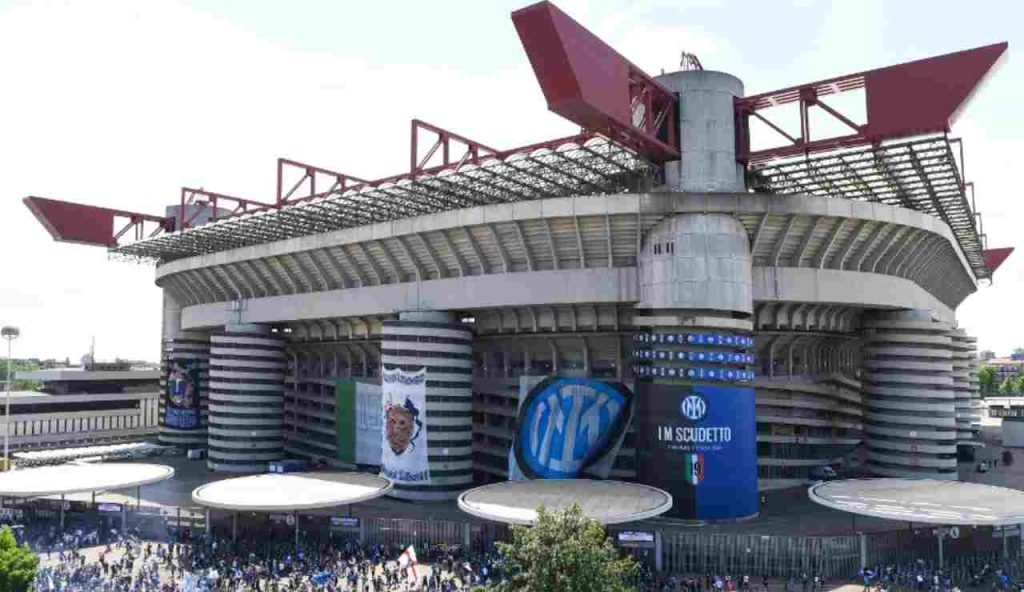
(185, 382)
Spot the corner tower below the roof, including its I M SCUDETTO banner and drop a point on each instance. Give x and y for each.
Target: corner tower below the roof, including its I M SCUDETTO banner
(697, 432)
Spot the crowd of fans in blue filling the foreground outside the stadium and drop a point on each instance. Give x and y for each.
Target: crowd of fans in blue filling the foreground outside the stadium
(94, 559)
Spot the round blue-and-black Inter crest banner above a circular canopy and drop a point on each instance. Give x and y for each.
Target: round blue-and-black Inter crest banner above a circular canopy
(569, 429)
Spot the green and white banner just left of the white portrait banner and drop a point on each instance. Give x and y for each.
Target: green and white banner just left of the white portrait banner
(358, 422)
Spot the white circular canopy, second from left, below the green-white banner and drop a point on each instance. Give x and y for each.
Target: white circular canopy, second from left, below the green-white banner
(290, 492)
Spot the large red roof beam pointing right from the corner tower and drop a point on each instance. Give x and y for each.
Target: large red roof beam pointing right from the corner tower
(914, 99)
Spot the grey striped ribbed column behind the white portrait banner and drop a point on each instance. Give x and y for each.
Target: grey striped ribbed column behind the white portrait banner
(445, 348)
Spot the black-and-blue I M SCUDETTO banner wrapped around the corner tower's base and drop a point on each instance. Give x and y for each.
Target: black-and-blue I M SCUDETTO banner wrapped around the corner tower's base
(700, 444)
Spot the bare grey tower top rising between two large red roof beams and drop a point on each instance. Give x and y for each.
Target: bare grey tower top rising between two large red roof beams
(707, 133)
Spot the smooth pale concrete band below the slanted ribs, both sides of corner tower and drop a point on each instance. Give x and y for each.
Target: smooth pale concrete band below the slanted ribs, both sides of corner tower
(618, 285)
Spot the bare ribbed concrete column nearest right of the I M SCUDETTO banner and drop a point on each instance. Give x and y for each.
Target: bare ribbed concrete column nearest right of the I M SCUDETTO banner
(909, 388)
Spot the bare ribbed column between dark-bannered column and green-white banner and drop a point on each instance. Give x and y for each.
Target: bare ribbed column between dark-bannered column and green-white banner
(247, 395)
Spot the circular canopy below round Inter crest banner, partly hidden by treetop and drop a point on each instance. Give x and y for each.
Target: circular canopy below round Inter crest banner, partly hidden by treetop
(608, 502)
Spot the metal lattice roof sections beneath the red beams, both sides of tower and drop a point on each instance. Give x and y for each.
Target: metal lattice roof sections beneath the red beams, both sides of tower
(921, 176)
